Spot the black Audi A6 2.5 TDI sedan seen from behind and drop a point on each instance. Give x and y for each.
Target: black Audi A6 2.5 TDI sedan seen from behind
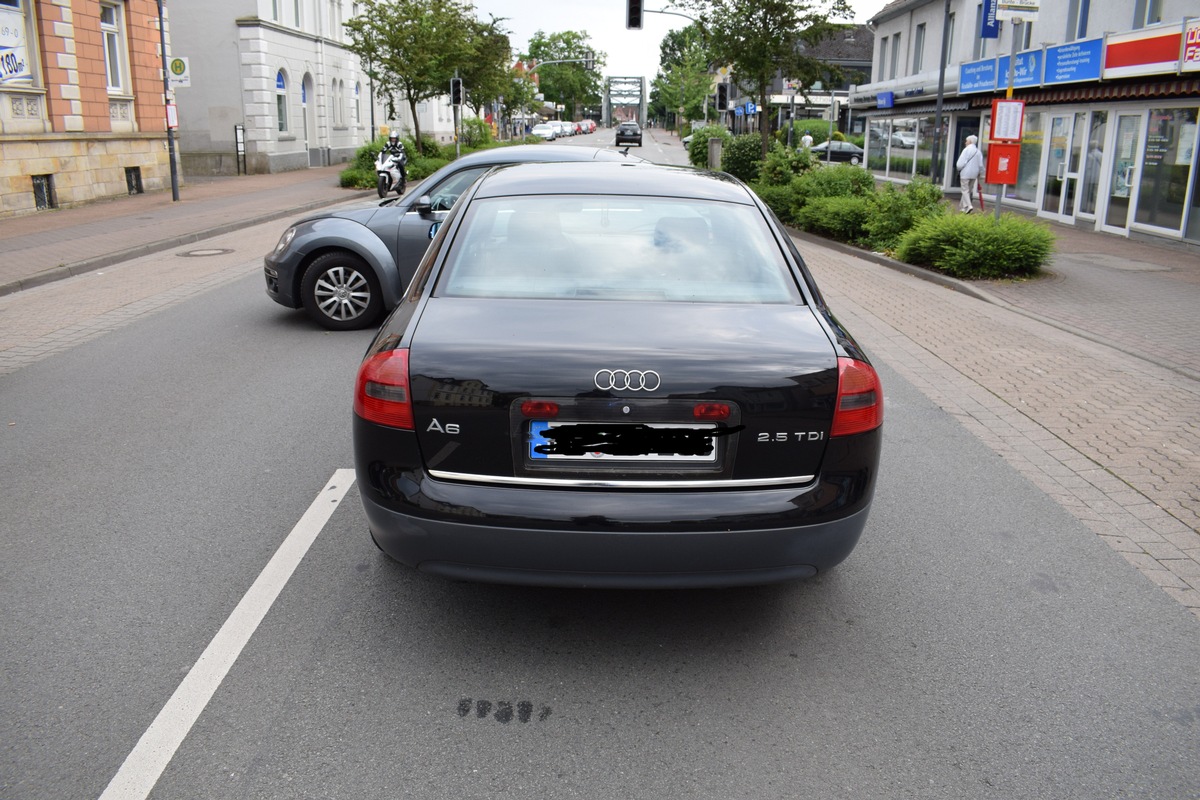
(679, 410)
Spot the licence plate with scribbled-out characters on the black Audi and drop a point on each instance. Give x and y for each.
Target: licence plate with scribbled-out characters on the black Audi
(661, 442)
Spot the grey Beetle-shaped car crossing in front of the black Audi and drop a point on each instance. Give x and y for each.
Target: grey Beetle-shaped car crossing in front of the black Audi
(347, 267)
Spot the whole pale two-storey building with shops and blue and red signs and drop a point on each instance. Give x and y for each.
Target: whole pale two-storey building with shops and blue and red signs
(1111, 93)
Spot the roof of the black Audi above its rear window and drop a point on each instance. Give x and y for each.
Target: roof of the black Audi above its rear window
(644, 179)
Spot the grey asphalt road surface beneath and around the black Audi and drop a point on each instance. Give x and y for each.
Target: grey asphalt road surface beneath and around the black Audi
(980, 643)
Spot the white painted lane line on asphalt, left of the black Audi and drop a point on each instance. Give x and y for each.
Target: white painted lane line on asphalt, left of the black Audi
(145, 766)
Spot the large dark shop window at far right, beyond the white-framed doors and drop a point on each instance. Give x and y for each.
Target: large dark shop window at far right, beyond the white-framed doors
(1166, 167)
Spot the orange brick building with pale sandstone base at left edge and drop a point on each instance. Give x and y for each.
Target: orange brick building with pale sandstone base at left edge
(82, 115)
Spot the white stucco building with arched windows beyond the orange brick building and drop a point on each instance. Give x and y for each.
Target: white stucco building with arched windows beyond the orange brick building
(273, 88)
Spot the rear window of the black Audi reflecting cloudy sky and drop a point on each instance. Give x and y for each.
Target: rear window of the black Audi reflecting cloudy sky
(617, 249)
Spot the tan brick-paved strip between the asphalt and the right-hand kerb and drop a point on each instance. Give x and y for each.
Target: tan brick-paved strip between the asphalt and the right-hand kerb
(1114, 440)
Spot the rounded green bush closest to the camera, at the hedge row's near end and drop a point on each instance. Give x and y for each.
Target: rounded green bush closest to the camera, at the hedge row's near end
(968, 246)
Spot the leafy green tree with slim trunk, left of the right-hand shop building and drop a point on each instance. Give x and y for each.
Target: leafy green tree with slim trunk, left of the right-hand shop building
(763, 39)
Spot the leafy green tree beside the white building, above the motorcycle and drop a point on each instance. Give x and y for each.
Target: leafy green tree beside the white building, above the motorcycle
(412, 49)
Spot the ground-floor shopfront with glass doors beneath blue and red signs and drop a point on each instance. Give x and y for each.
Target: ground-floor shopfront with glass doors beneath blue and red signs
(1109, 139)
